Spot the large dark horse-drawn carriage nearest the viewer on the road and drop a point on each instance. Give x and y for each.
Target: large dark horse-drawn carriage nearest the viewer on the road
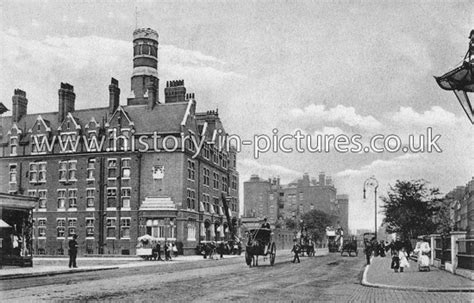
(259, 243)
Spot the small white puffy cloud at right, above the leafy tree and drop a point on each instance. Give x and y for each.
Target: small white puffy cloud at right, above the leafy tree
(434, 116)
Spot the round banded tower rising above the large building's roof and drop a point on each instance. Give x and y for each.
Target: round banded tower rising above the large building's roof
(145, 68)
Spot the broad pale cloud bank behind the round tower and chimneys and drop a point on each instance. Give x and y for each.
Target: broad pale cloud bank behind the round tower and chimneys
(38, 66)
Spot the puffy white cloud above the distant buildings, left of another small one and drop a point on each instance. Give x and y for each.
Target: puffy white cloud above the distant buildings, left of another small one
(339, 113)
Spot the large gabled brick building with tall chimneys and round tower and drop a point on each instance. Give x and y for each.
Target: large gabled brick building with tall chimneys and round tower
(114, 173)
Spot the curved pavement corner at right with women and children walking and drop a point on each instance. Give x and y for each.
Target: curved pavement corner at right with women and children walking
(379, 274)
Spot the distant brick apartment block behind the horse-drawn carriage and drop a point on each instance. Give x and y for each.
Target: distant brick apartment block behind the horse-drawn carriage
(271, 199)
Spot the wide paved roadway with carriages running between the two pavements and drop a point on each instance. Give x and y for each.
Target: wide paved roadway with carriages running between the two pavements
(318, 279)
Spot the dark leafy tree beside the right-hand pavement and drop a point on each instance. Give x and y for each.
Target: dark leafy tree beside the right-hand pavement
(412, 209)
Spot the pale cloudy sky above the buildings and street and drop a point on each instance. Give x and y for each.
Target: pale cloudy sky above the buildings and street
(321, 67)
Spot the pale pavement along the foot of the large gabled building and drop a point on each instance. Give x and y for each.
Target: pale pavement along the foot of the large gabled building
(57, 266)
